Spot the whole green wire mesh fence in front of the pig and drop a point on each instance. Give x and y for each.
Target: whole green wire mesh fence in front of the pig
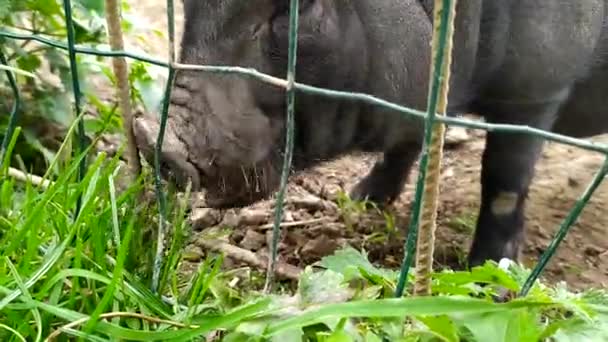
(441, 57)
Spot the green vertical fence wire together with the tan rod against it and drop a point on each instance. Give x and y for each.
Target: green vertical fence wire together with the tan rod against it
(444, 14)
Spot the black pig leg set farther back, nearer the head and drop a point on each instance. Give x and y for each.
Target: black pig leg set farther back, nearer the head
(383, 184)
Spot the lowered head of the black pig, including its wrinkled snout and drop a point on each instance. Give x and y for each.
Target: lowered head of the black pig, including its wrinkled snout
(226, 132)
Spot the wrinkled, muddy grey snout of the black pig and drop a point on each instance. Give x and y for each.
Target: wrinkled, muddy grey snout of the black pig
(217, 138)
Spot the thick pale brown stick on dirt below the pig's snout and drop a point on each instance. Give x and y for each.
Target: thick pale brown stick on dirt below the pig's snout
(282, 269)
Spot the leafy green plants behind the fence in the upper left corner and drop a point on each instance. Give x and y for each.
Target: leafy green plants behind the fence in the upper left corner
(47, 98)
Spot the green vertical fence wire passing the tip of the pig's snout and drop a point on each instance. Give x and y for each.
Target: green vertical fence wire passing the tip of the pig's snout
(162, 201)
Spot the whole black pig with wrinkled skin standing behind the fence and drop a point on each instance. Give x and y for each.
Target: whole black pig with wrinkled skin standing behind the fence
(533, 62)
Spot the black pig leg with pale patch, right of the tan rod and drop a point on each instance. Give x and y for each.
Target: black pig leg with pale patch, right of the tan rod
(507, 170)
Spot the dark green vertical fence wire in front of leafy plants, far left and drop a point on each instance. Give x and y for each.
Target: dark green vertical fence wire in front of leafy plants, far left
(81, 144)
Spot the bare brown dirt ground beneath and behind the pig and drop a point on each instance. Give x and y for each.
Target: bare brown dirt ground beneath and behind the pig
(316, 225)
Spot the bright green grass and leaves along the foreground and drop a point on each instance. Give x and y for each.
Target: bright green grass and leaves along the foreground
(67, 275)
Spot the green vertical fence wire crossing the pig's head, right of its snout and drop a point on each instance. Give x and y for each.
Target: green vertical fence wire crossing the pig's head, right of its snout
(290, 122)
